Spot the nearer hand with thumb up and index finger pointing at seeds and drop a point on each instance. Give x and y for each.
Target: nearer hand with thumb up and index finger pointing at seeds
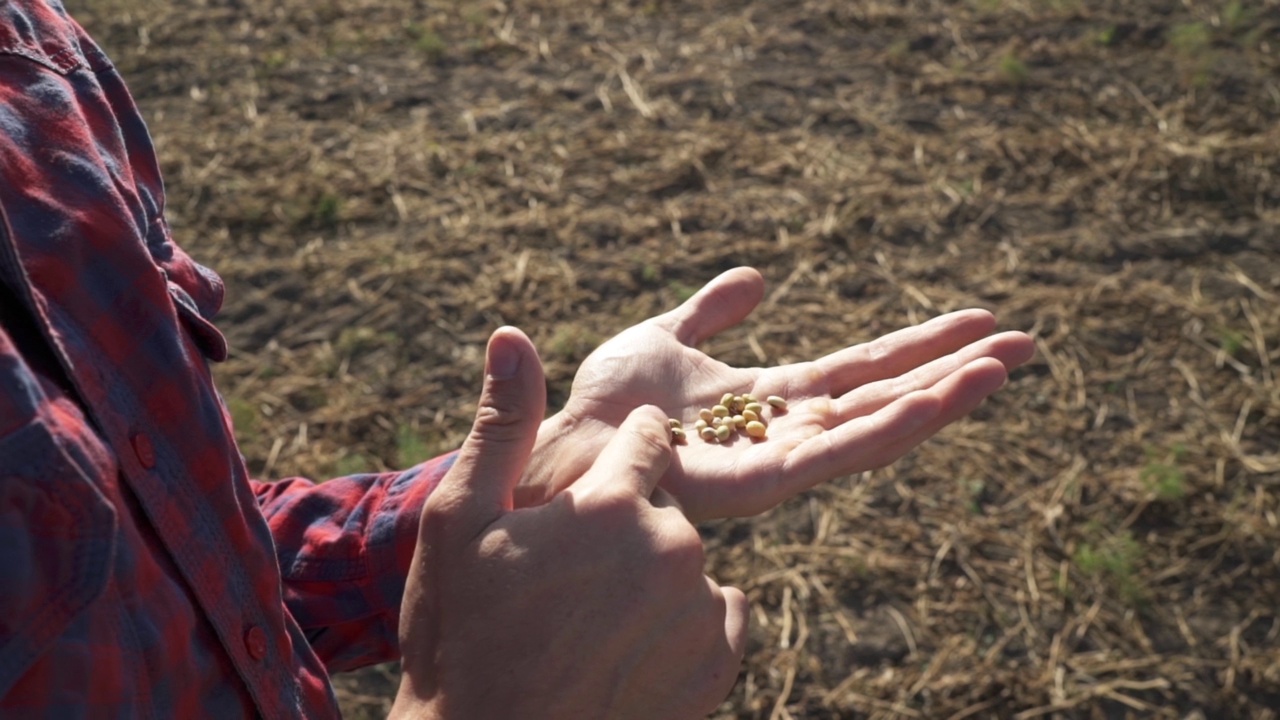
(593, 605)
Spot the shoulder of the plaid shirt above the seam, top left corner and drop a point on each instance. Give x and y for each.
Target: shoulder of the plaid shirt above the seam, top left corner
(43, 33)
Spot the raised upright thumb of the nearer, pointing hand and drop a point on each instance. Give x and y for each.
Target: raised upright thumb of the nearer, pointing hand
(478, 489)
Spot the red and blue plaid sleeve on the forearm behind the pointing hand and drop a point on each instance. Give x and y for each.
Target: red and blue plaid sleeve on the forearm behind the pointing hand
(345, 549)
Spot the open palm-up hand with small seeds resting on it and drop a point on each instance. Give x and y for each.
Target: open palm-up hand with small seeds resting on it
(857, 409)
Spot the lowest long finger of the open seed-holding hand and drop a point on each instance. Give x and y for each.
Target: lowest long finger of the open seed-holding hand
(877, 440)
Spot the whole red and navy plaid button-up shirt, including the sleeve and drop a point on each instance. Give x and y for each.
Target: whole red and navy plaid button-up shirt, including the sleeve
(143, 573)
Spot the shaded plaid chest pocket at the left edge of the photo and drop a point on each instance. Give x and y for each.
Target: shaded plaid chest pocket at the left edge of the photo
(57, 545)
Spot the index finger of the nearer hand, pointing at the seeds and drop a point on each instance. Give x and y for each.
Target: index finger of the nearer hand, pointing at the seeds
(634, 459)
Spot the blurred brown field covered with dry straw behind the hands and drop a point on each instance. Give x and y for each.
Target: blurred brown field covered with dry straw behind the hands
(382, 184)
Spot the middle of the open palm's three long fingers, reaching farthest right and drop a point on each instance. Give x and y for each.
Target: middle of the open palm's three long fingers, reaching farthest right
(1011, 349)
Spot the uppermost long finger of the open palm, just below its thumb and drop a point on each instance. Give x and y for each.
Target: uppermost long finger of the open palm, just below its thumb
(904, 350)
